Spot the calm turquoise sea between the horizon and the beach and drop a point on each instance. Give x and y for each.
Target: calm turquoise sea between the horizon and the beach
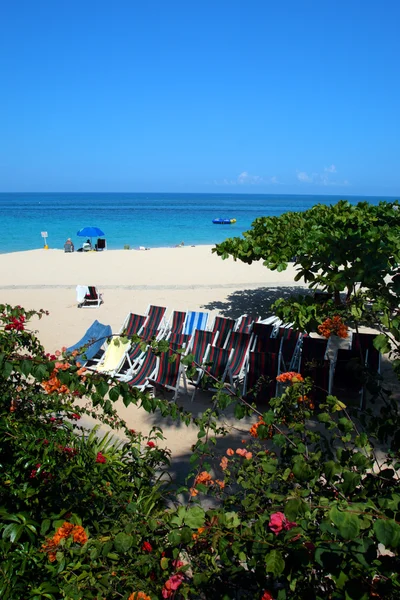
(150, 220)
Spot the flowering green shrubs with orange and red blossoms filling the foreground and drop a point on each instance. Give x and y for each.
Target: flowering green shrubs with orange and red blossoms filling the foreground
(300, 506)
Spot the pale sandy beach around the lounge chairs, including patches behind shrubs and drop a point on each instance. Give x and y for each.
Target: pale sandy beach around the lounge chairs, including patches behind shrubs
(178, 278)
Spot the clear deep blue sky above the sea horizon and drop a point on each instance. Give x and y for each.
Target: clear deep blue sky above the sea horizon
(200, 96)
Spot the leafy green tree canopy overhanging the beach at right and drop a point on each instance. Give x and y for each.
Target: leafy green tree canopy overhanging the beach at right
(333, 247)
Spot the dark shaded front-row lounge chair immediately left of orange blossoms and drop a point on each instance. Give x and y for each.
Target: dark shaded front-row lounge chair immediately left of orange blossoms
(260, 380)
